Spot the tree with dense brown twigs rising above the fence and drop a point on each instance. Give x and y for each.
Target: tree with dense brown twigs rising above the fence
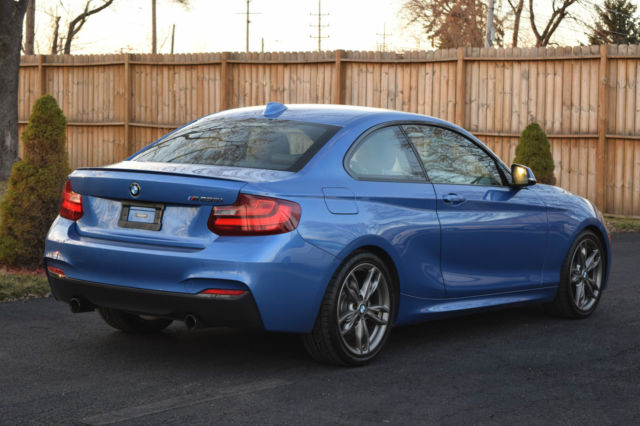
(452, 23)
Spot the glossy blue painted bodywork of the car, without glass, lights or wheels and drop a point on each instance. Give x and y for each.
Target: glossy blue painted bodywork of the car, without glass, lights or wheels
(456, 248)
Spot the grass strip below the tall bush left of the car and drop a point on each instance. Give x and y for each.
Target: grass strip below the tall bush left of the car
(22, 285)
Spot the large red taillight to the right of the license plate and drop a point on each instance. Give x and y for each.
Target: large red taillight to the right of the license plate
(255, 215)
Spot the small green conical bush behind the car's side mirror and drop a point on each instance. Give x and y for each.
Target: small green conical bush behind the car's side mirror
(534, 151)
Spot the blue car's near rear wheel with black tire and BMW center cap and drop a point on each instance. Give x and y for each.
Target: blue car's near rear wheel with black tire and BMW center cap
(355, 318)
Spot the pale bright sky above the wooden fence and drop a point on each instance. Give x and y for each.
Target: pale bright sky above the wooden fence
(219, 25)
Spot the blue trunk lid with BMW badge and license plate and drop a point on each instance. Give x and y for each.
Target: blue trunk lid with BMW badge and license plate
(158, 205)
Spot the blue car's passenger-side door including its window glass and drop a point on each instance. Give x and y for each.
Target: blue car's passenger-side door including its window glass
(493, 235)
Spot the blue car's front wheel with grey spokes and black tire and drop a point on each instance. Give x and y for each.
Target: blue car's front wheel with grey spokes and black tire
(581, 278)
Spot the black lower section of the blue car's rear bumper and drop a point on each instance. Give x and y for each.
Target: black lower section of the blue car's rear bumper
(232, 311)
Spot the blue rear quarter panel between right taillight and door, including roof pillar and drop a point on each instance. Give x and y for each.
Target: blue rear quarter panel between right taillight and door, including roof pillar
(399, 218)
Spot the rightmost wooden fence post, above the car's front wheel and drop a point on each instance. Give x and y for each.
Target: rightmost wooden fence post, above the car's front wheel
(601, 165)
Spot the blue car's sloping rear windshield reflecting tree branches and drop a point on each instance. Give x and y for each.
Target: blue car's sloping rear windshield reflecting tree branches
(254, 143)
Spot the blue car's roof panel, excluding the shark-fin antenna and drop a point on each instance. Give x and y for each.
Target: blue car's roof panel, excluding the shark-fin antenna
(335, 115)
